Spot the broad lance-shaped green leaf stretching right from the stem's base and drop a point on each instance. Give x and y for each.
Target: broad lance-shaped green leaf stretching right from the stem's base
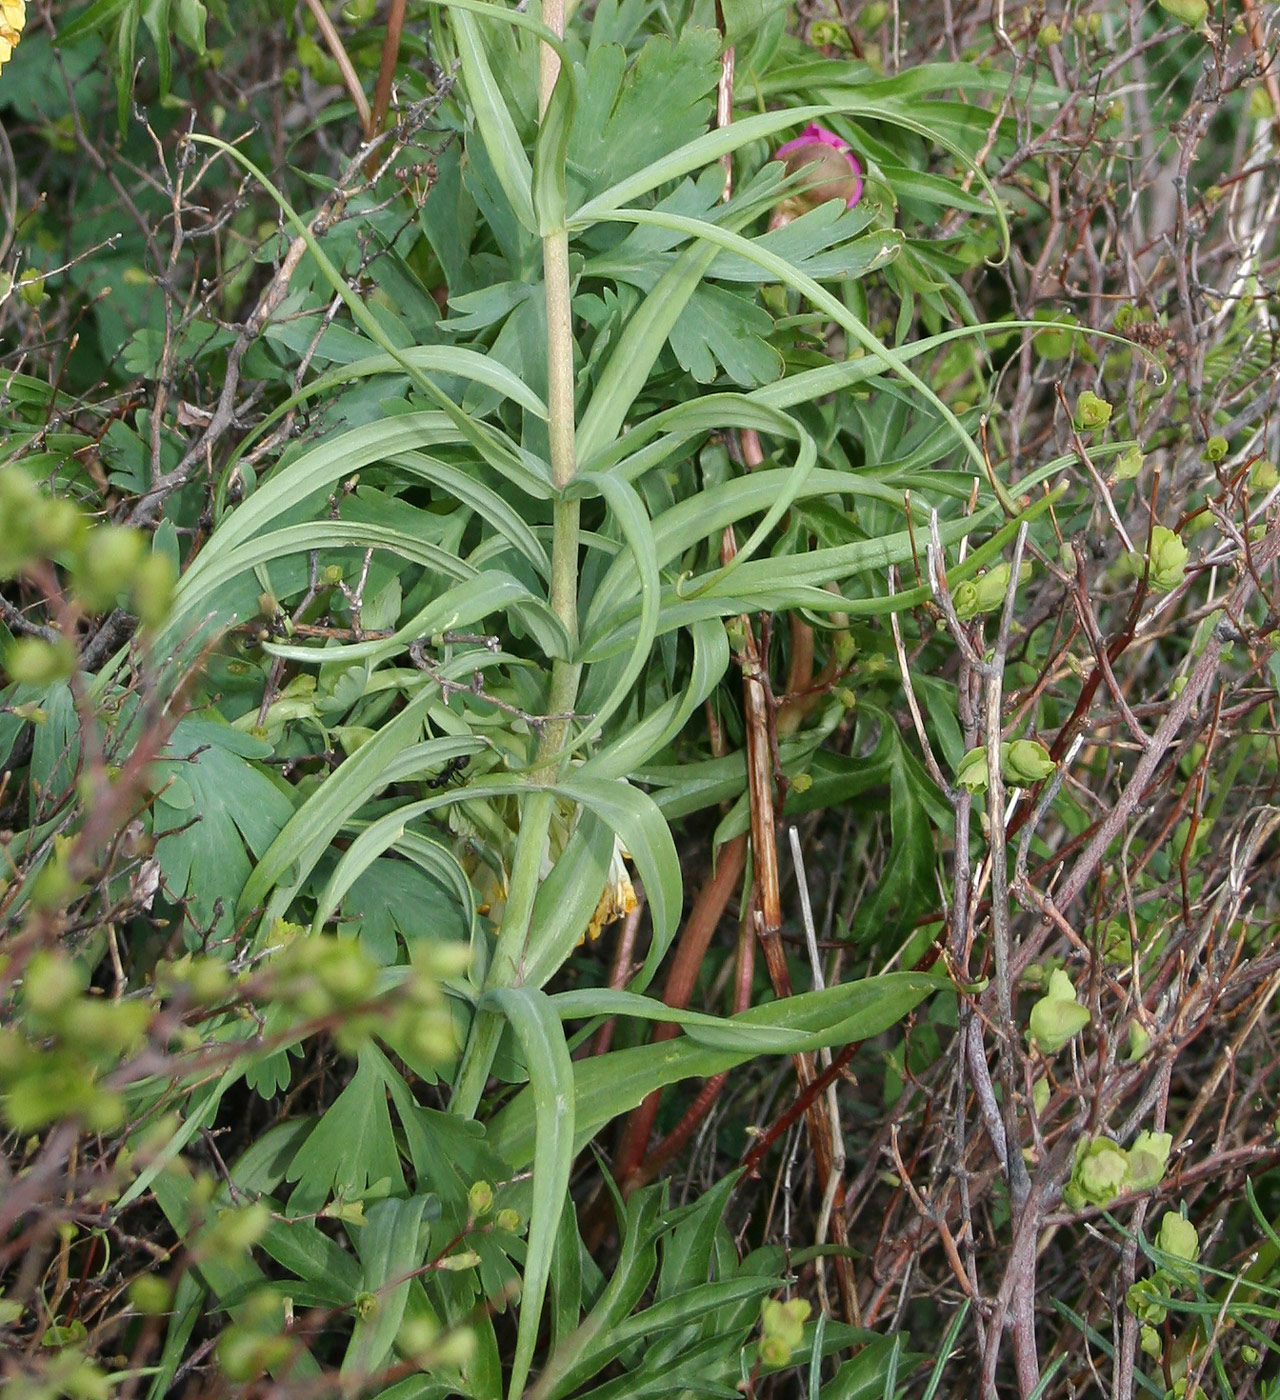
(613, 1084)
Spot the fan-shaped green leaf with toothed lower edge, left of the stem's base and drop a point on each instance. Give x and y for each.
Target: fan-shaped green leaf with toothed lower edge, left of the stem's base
(351, 1149)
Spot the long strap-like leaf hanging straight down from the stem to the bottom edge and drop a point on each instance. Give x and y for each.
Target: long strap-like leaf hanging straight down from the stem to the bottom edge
(551, 1088)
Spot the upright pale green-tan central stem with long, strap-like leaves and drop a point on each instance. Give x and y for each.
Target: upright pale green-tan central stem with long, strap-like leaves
(531, 845)
